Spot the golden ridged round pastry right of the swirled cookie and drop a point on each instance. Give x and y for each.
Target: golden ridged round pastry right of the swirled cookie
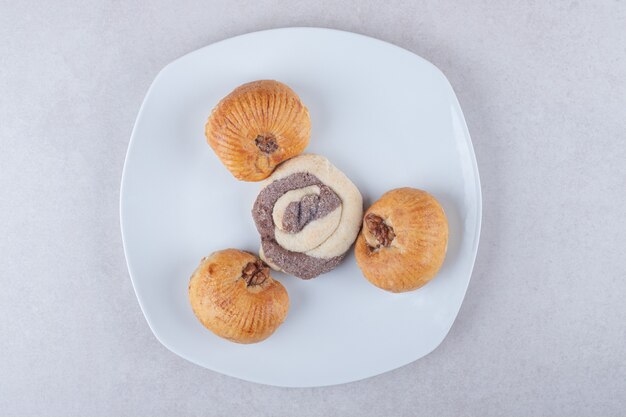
(403, 241)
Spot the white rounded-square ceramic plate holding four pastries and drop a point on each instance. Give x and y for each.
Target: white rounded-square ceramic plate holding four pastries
(384, 116)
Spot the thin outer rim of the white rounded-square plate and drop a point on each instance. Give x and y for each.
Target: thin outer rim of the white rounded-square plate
(477, 189)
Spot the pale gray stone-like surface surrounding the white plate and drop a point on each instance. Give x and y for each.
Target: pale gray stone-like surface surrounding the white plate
(542, 330)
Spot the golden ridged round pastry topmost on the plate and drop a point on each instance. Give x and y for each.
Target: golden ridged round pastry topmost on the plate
(256, 127)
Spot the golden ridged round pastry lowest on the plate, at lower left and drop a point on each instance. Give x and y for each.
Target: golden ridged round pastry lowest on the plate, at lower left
(234, 296)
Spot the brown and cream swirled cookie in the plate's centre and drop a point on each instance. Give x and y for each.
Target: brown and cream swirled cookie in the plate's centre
(308, 214)
